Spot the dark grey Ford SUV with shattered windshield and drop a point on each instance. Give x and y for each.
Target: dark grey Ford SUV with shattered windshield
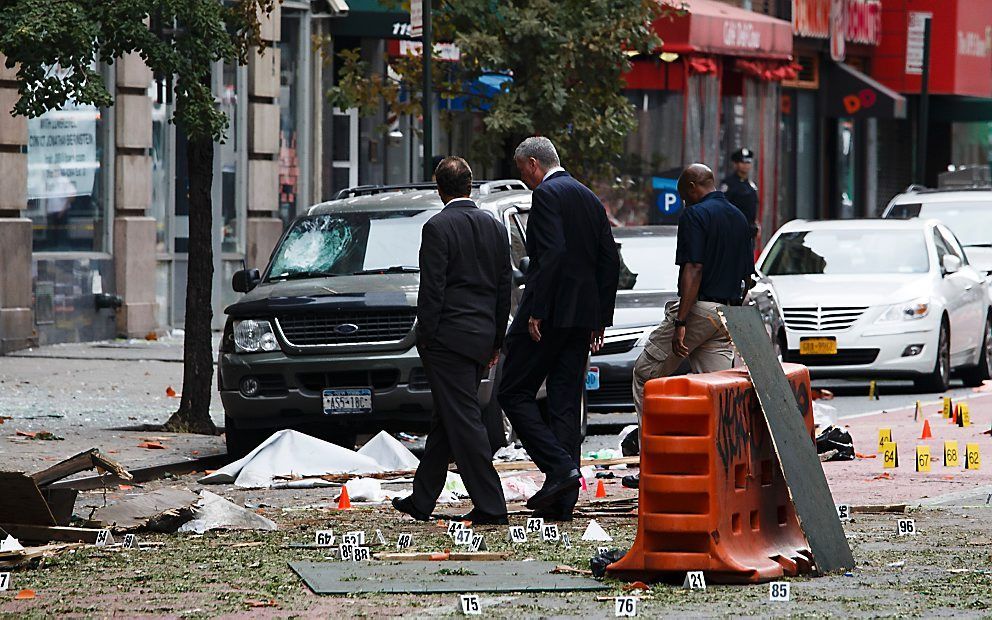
(323, 340)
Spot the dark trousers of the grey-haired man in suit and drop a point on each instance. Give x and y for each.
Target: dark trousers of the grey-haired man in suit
(552, 439)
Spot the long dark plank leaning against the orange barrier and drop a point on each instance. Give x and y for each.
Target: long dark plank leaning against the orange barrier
(796, 453)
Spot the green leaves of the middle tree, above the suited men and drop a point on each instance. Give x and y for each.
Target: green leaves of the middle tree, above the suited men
(567, 58)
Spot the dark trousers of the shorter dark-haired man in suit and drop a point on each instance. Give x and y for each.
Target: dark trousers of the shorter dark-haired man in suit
(456, 430)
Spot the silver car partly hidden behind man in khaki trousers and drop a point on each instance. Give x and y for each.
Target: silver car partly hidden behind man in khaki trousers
(648, 283)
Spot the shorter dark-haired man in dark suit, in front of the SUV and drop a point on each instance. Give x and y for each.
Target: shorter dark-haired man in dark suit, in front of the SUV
(462, 310)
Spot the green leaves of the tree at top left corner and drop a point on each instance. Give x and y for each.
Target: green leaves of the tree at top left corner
(58, 43)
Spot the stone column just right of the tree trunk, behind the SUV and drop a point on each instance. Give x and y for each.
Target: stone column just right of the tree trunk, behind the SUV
(263, 224)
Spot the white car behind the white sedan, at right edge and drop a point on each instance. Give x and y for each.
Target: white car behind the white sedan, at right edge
(967, 212)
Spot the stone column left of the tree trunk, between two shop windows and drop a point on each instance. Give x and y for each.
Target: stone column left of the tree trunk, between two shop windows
(134, 231)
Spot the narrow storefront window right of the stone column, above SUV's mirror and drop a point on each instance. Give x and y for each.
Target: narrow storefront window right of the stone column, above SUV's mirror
(289, 93)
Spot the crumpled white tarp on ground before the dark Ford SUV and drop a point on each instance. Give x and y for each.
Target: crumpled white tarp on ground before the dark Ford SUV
(289, 452)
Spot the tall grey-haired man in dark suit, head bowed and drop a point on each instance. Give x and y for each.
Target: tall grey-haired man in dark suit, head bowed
(571, 290)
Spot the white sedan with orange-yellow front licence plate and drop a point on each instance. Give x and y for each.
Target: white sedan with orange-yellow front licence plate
(880, 298)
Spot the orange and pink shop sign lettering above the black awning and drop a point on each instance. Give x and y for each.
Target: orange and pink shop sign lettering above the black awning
(862, 19)
